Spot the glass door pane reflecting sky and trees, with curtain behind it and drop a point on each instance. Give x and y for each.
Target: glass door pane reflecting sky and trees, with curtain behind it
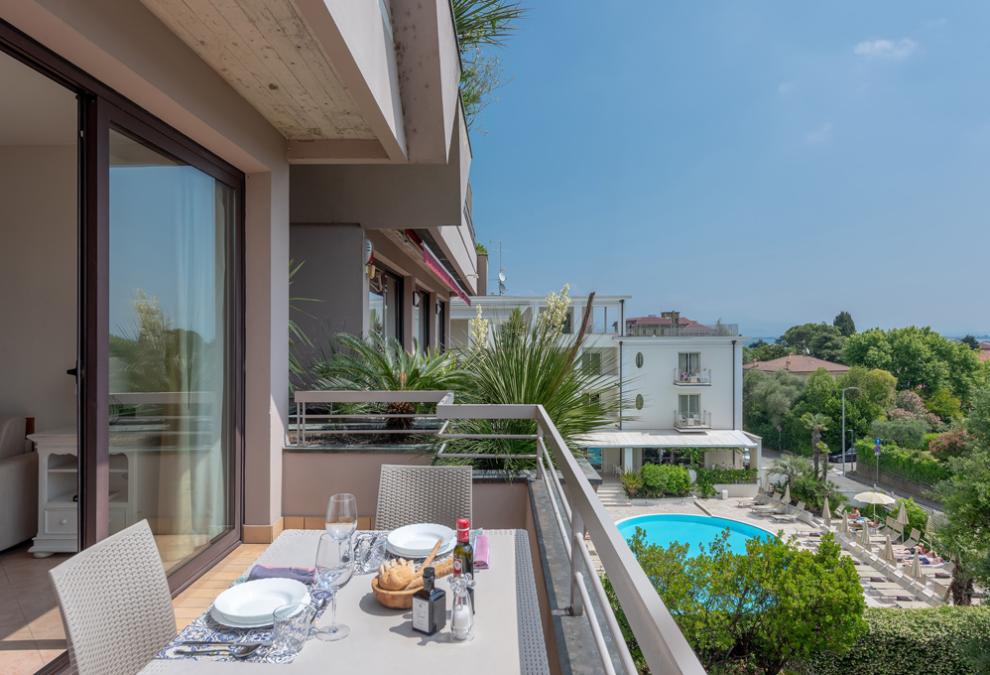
(170, 283)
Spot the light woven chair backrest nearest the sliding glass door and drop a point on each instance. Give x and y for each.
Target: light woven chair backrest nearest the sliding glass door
(115, 602)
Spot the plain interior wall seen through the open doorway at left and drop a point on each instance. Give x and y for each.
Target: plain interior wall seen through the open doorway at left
(38, 284)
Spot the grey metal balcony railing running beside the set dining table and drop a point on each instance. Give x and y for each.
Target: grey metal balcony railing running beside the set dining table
(577, 512)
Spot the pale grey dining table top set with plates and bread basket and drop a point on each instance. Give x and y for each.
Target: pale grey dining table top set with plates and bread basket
(507, 636)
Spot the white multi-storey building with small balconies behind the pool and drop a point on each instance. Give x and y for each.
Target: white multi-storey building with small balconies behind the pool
(680, 391)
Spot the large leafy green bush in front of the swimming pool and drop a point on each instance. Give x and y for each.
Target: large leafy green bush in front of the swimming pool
(769, 608)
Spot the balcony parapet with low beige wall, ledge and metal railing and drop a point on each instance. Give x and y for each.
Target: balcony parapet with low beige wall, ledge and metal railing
(525, 479)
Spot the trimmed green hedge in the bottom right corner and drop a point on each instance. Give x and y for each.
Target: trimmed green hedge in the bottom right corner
(937, 641)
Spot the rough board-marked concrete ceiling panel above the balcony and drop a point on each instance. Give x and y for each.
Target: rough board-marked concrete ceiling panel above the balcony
(266, 51)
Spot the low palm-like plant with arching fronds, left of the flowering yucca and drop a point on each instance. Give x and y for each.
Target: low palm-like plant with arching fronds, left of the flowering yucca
(381, 364)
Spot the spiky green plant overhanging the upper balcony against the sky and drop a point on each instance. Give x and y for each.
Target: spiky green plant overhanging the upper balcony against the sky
(479, 24)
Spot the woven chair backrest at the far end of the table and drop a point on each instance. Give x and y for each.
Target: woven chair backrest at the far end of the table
(410, 494)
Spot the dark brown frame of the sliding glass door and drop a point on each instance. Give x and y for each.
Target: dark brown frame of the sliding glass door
(100, 109)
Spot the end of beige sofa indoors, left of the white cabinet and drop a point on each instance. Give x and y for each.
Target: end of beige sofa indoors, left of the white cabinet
(18, 484)
